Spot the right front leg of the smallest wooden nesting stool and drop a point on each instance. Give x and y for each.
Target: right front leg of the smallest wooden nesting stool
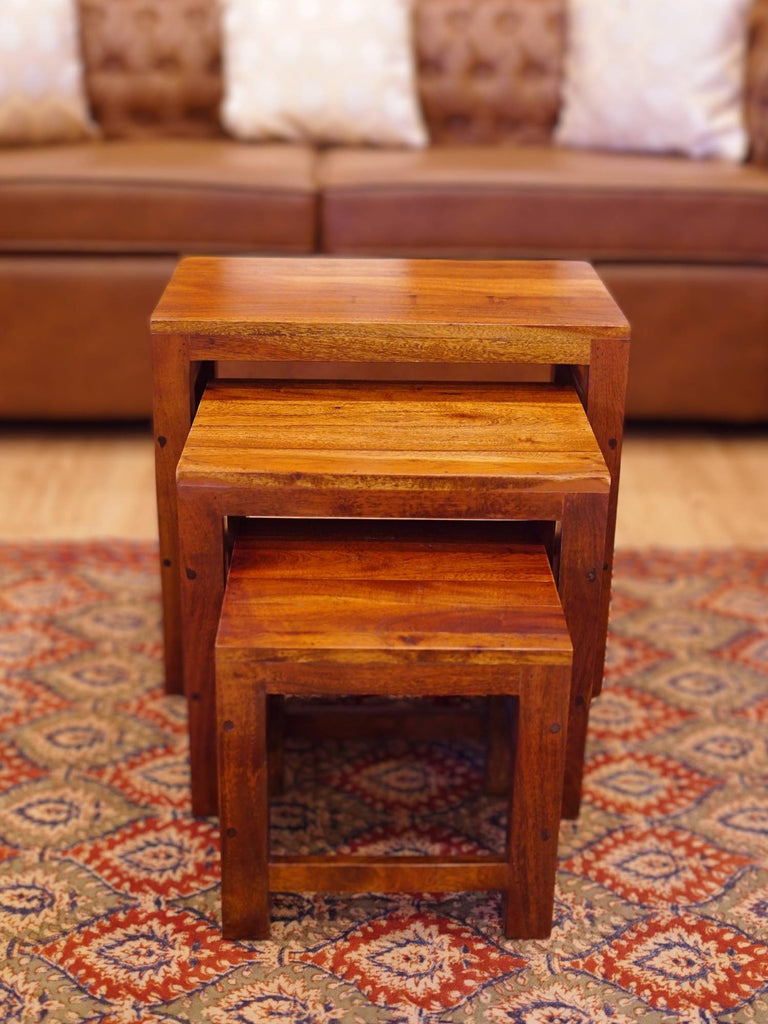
(535, 802)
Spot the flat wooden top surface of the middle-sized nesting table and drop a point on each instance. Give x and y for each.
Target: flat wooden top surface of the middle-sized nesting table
(285, 432)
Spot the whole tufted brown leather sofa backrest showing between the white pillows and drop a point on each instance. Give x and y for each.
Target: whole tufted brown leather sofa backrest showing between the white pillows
(489, 71)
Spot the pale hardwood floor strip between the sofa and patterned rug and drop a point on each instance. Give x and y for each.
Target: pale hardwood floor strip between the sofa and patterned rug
(680, 488)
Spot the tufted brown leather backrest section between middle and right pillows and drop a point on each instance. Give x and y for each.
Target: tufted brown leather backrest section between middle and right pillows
(490, 71)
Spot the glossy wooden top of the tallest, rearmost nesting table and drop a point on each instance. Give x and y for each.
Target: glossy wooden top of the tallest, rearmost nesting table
(362, 309)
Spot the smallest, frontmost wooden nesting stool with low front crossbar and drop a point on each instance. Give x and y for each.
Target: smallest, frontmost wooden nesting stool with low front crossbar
(411, 610)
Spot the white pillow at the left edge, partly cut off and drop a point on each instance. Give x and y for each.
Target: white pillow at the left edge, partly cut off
(42, 99)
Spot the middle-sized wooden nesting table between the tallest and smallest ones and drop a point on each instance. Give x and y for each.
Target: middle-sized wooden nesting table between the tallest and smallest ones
(390, 451)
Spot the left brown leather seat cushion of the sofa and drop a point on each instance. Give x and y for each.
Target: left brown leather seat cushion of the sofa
(161, 196)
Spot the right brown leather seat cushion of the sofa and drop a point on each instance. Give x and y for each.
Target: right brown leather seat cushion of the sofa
(537, 202)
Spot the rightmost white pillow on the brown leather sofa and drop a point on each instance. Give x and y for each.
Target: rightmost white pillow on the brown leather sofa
(656, 76)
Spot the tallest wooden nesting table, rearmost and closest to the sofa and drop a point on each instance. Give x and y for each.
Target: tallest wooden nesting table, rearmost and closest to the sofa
(339, 313)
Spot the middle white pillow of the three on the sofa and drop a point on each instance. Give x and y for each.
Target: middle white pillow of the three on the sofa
(324, 71)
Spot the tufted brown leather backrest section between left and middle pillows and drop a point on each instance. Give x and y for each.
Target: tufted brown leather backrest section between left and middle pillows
(153, 67)
